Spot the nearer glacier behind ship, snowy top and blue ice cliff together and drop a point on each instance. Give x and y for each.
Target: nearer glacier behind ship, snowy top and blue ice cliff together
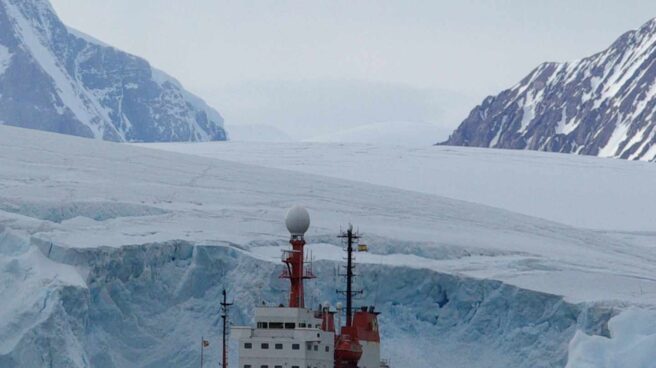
(93, 232)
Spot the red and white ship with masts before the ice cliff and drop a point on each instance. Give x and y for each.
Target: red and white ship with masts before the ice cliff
(293, 336)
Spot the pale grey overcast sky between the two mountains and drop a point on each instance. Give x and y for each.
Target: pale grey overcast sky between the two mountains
(432, 58)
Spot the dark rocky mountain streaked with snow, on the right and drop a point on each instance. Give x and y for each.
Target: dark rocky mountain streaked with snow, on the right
(603, 105)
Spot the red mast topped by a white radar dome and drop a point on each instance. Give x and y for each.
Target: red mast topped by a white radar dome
(297, 221)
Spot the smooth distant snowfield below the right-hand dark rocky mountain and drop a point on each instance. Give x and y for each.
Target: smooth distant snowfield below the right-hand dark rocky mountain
(580, 191)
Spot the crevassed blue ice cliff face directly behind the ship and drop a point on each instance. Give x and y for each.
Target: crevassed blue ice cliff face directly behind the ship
(148, 305)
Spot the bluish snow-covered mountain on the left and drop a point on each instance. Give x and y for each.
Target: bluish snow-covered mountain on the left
(57, 79)
